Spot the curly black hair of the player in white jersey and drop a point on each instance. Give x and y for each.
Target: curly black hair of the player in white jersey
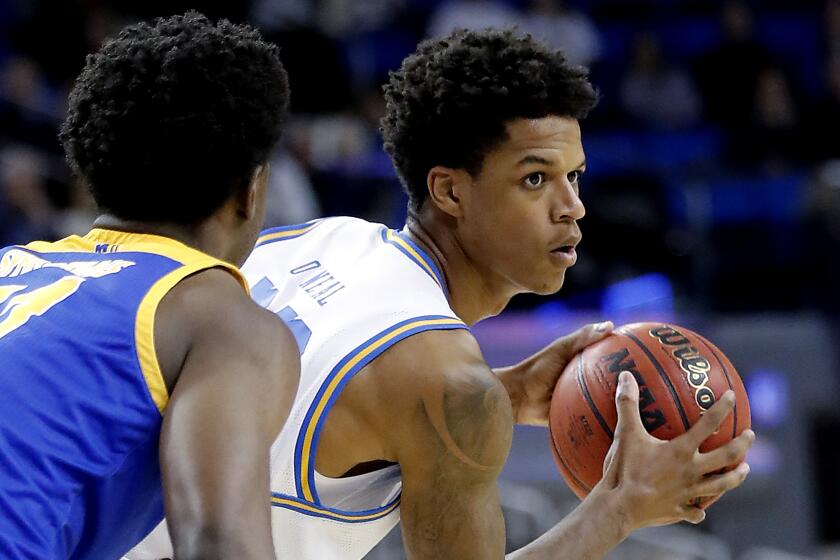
(449, 102)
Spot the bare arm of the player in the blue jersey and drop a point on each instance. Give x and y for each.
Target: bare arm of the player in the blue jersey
(234, 382)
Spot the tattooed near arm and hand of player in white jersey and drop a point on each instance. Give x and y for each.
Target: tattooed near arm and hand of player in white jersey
(454, 437)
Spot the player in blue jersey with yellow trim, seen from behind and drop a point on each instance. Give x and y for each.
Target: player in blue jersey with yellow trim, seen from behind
(135, 370)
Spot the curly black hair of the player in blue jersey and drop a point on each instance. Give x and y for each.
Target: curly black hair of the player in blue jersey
(167, 120)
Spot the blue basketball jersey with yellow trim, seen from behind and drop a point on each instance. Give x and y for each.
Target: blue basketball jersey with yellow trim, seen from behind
(81, 392)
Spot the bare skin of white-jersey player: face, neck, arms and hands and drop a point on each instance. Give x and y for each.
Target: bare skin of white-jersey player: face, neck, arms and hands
(433, 405)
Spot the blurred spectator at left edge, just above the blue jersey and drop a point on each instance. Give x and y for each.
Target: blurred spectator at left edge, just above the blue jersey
(25, 209)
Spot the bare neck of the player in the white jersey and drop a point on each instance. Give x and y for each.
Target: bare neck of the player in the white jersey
(474, 293)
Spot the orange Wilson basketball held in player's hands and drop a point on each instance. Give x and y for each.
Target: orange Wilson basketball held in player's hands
(680, 375)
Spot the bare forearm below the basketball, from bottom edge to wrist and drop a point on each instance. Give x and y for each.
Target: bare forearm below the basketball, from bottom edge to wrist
(594, 528)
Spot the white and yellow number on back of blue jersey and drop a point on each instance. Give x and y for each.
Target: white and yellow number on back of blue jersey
(17, 305)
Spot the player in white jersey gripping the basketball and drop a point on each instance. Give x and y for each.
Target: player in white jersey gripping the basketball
(398, 417)
